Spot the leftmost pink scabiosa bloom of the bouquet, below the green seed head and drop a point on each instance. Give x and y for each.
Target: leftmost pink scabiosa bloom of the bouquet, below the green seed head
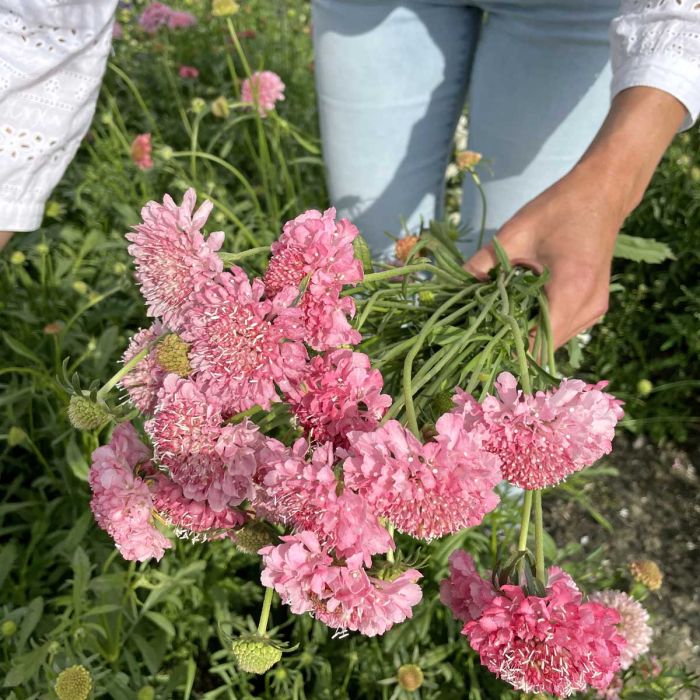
(121, 501)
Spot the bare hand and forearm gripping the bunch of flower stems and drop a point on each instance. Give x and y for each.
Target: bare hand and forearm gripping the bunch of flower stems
(570, 228)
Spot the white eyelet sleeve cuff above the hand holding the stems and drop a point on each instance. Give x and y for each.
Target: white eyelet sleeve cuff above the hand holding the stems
(656, 43)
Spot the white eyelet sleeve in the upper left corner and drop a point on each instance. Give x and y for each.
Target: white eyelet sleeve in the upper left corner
(52, 58)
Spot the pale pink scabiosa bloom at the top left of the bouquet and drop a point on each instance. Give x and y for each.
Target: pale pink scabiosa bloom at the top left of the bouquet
(172, 257)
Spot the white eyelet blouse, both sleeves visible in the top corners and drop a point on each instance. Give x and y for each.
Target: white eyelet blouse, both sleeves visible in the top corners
(53, 54)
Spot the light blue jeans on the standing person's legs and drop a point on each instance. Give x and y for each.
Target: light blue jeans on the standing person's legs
(392, 78)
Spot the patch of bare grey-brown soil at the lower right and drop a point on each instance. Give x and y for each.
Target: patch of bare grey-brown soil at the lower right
(653, 505)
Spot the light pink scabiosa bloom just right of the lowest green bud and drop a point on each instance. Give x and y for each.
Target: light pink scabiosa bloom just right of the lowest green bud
(308, 580)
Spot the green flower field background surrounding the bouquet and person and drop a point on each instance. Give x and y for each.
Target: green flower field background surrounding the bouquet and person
(170, 117)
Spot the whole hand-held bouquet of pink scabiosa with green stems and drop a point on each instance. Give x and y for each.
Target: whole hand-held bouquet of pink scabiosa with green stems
(263, 423)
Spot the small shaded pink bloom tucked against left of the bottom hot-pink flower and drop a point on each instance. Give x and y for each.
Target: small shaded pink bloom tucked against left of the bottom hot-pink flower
(464, 591)
